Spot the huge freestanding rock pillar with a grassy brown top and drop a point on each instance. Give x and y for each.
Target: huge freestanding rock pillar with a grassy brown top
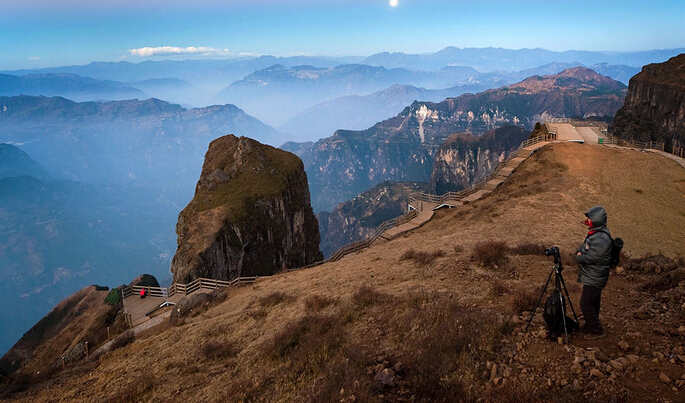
(250, 214)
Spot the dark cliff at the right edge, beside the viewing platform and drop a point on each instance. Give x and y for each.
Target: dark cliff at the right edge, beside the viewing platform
(654, 108)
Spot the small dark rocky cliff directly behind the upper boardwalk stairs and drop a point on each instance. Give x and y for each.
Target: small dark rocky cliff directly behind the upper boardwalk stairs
(464, 159)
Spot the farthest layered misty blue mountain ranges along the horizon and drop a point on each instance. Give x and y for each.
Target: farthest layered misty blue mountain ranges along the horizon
(276, 90)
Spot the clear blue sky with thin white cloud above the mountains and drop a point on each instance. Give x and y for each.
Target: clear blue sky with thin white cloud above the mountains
(40, 33)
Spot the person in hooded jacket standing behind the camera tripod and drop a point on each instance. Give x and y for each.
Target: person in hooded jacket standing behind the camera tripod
(594, 258)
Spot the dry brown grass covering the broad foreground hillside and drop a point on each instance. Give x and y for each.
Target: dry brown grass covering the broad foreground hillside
(402, 313)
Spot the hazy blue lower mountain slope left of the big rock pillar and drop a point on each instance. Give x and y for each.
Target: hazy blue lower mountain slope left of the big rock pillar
(59, 236)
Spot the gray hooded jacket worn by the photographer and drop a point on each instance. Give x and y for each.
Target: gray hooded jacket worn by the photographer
(595, 252)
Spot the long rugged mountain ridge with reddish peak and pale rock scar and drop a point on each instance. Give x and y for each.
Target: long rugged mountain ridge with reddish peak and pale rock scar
(402, 148)
